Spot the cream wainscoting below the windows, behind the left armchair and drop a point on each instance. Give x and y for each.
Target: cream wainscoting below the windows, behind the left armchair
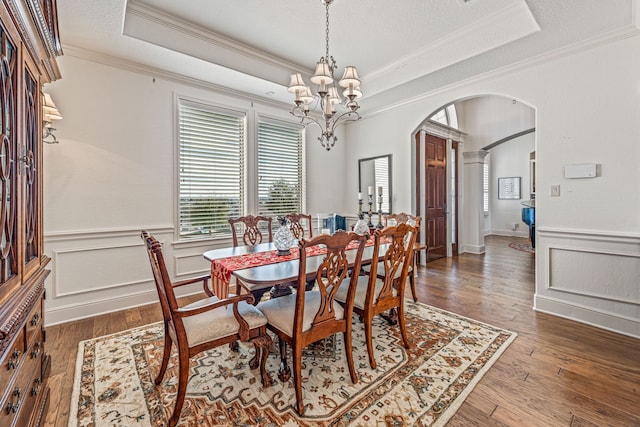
(102, 271)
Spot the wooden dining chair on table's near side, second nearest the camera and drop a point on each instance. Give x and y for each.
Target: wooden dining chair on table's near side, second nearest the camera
(382, 291)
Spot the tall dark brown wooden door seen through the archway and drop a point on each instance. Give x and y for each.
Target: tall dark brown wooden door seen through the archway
(435, 196)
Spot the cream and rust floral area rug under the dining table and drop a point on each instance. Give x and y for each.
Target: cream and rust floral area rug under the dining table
(424, 385)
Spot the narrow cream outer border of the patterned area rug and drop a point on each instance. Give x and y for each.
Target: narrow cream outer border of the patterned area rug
(441, 421)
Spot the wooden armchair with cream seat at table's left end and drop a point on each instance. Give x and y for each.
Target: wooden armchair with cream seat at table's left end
(204, 324)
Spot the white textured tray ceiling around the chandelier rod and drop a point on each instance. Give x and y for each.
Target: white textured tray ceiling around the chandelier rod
(253, 45)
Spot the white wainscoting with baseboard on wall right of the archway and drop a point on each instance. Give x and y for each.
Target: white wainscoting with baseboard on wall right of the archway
(591, 277)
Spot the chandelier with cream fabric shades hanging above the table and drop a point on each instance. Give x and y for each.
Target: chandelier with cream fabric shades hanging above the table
(326, 108)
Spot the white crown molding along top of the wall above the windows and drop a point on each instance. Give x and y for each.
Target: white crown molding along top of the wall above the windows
(136, 67)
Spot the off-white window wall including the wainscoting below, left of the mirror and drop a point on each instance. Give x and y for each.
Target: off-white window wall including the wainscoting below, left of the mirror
(113, 174)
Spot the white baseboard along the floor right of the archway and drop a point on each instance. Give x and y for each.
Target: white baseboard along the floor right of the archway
(588, 315)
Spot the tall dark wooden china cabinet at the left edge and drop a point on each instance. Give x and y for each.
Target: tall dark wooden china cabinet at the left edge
(30, 45)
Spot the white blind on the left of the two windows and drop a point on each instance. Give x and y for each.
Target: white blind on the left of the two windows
(211, 169)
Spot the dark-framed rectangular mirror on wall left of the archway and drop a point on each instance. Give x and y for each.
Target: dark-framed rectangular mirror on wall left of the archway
(375, 176)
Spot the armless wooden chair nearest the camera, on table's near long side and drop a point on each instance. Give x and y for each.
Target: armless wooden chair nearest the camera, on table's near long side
(306, 316)
